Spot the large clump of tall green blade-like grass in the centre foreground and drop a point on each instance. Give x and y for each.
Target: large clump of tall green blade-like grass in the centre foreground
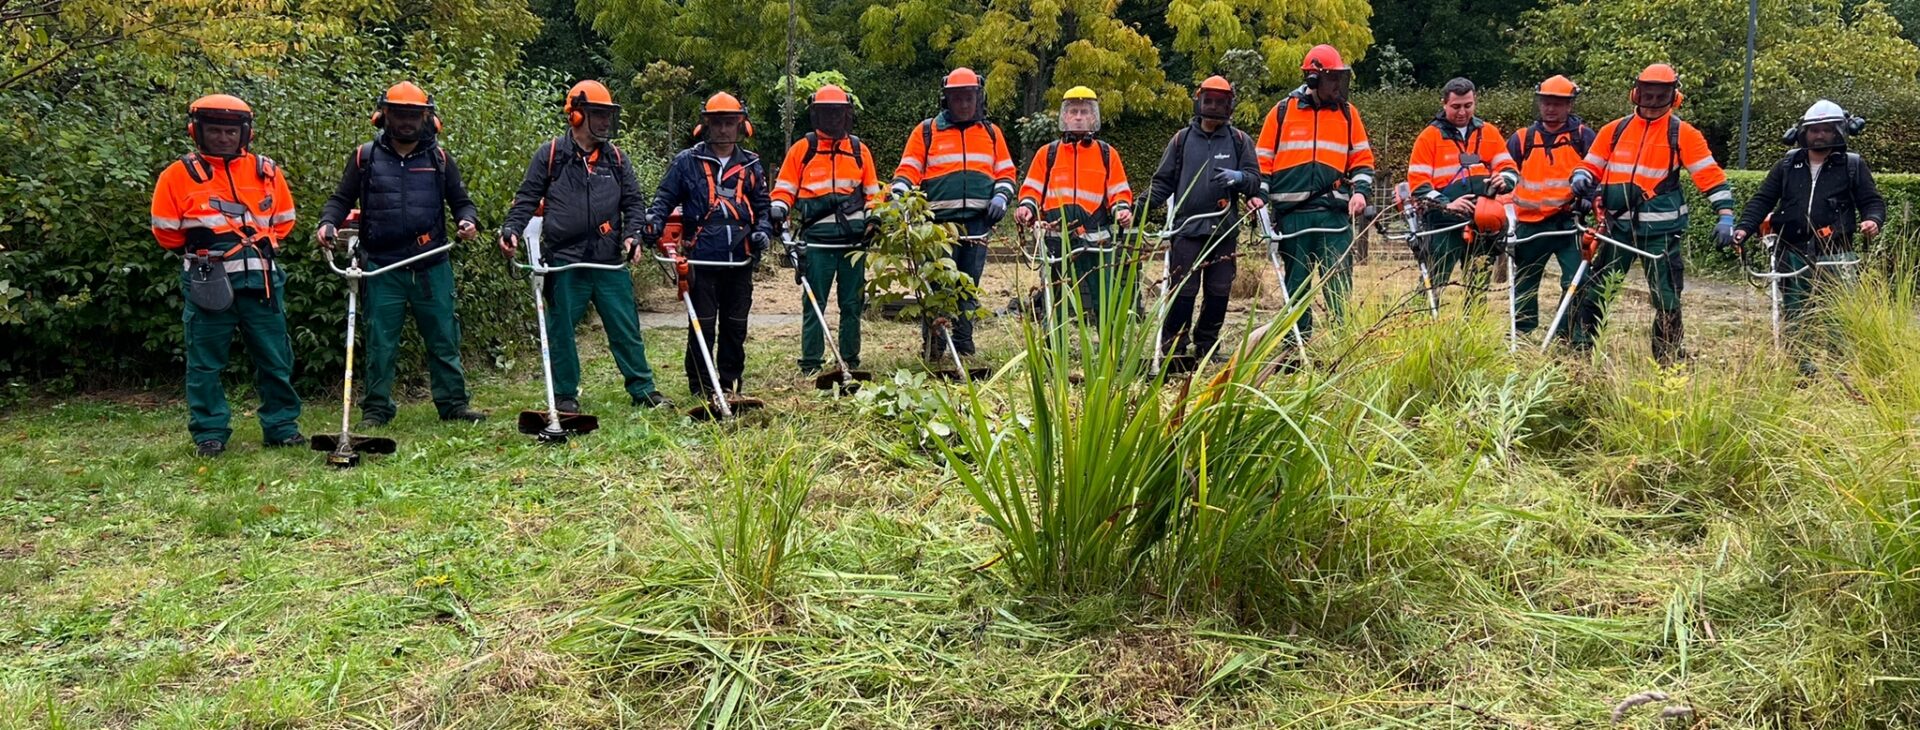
(1113, 477)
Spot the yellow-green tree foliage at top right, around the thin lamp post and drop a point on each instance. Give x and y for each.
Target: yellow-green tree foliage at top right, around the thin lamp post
(1800, 55)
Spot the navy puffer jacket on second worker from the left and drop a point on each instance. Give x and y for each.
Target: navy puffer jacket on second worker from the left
(404, 201)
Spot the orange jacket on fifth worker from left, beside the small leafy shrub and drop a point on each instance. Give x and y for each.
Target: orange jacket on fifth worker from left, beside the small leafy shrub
(832, 193)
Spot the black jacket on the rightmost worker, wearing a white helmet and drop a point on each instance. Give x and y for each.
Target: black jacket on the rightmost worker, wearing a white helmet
(1840, 199)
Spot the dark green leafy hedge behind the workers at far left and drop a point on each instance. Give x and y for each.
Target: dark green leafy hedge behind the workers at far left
(101, 303)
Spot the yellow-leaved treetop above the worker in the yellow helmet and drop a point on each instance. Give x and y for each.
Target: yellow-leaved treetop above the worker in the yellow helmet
(1030, 47)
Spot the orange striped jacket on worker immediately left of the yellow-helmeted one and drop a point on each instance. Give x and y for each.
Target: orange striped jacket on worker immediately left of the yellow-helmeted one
(959, 166)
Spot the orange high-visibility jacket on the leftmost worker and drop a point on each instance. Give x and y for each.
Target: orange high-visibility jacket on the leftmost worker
(241, 208)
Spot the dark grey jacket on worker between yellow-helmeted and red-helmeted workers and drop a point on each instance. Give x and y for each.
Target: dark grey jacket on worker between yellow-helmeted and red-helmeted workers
(1186, 176)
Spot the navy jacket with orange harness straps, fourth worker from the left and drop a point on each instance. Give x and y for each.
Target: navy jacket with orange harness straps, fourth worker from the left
(721, 208)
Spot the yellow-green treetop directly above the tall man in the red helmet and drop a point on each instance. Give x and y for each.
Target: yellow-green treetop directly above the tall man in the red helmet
(1280, 30)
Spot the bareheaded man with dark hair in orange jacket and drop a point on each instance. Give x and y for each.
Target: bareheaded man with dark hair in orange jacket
(1456, 160)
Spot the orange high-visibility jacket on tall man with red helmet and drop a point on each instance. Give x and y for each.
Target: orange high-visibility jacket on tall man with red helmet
(1314, 157)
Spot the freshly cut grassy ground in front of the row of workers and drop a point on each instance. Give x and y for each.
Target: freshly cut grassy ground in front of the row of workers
(1512, 541)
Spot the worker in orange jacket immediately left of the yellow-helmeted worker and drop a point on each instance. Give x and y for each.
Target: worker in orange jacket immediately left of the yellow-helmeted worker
(963, 164)
